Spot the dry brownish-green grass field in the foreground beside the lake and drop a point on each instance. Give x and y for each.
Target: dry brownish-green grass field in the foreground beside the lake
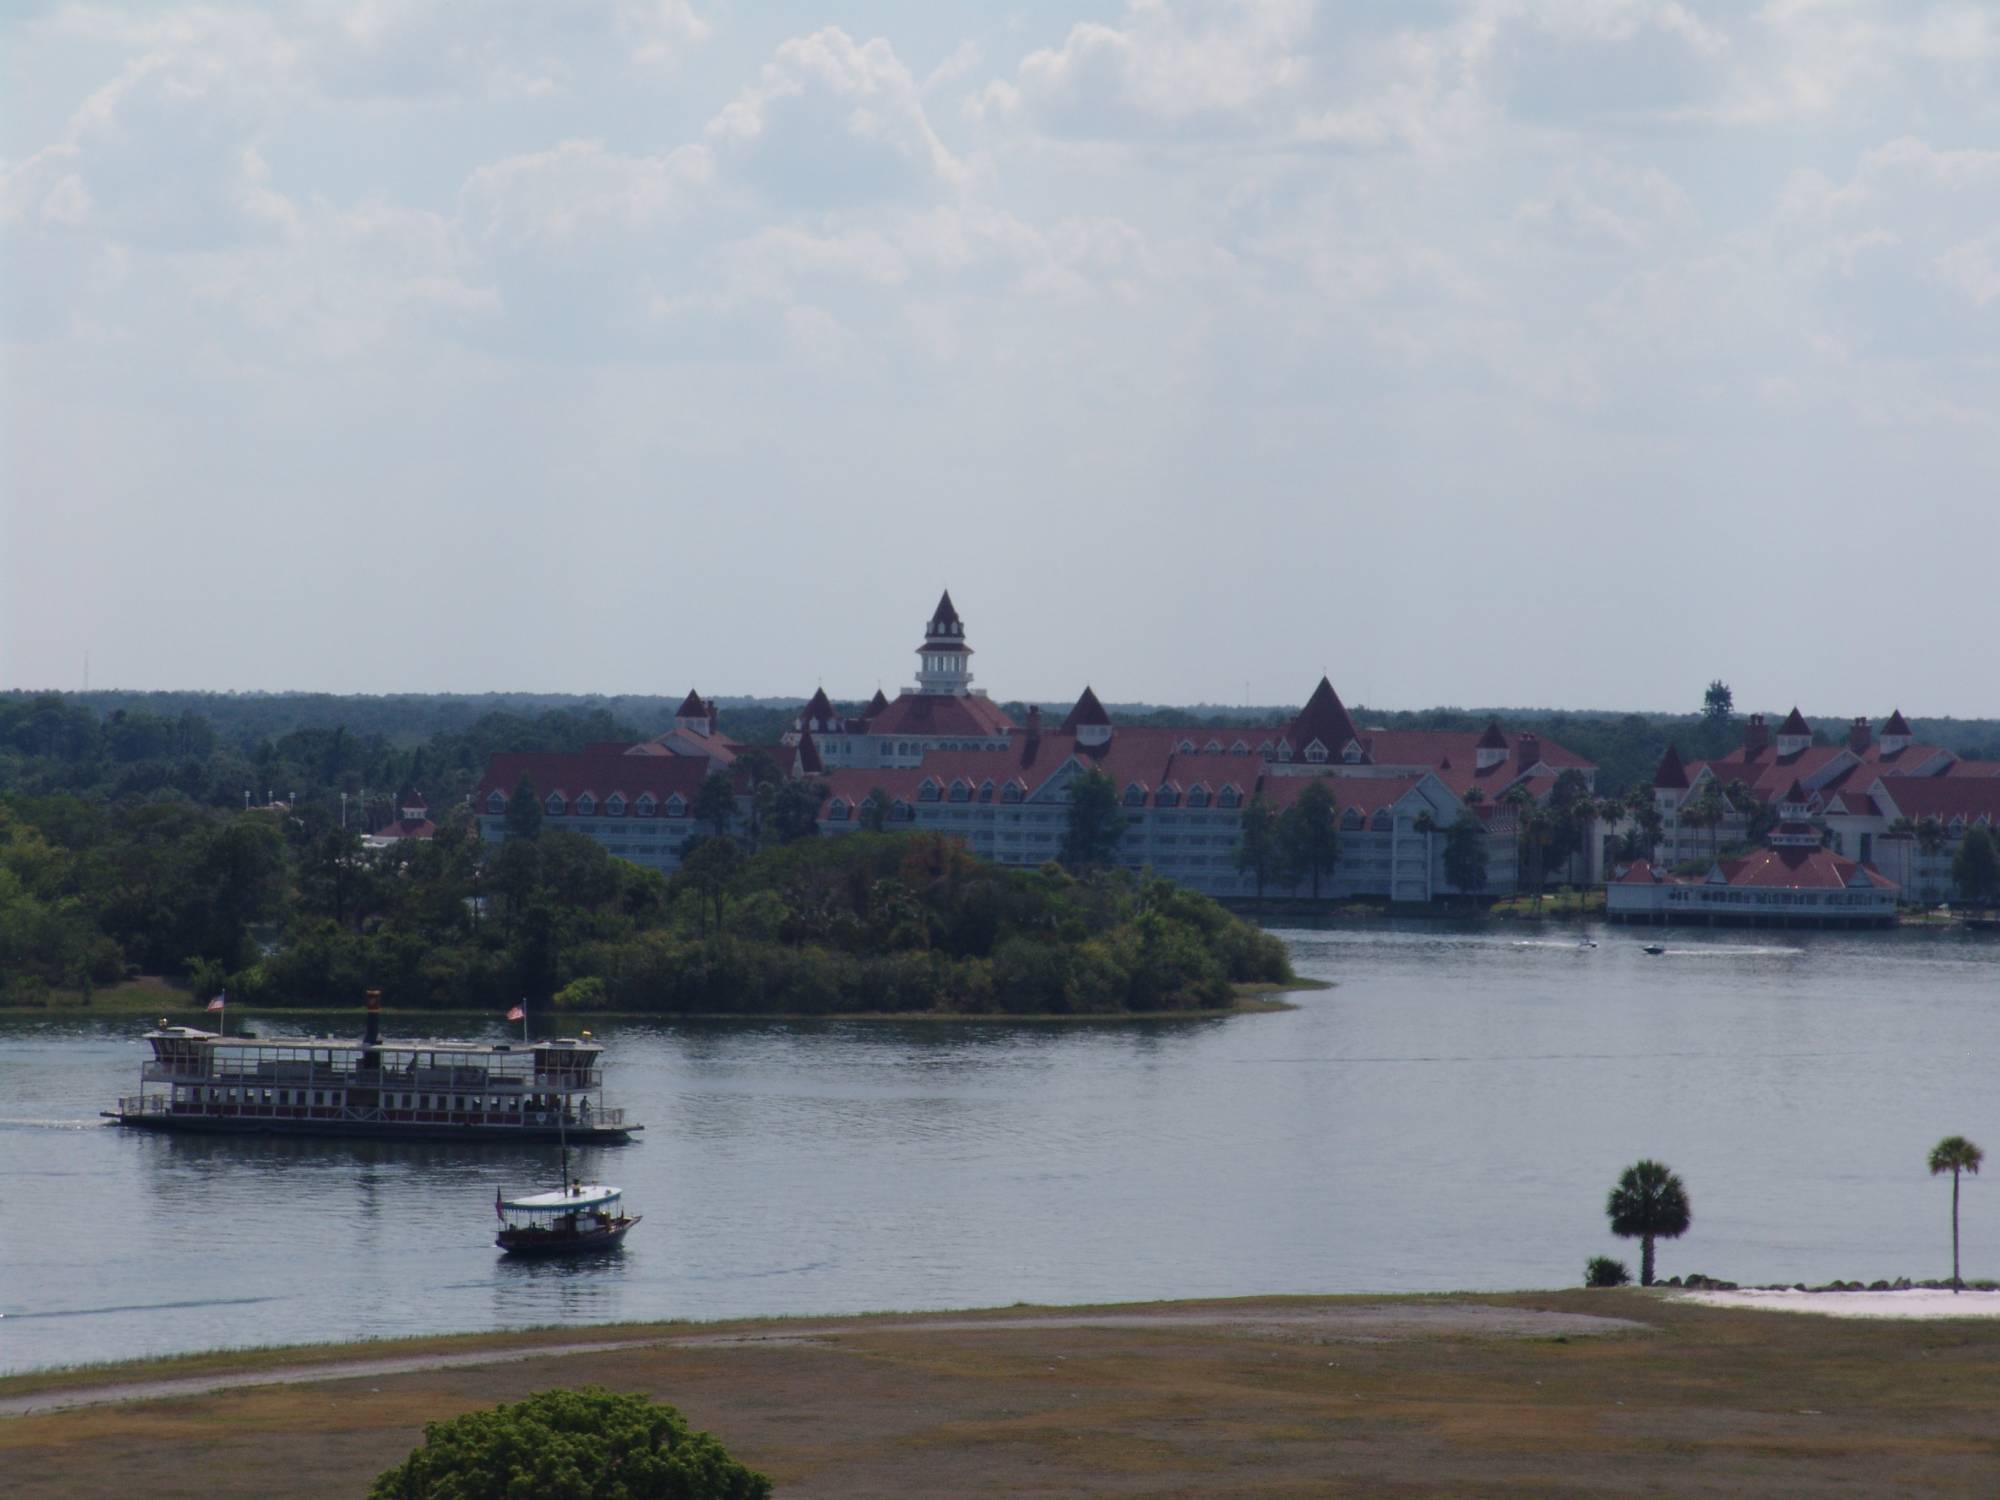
(1529, 1395)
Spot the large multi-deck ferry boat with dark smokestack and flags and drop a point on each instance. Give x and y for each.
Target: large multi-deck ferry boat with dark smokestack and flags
(399, 1091)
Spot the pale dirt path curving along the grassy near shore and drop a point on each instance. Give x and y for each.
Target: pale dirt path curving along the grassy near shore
(1365, 1321)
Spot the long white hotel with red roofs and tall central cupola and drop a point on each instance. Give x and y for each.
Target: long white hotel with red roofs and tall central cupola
(945, 757)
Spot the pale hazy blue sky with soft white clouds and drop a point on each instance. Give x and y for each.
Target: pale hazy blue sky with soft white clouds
(1473, 353)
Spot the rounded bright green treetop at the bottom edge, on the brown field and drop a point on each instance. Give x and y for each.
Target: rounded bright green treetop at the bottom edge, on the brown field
(571, 1445)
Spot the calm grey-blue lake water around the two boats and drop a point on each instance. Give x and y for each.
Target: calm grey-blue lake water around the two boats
(1451, 1117)
